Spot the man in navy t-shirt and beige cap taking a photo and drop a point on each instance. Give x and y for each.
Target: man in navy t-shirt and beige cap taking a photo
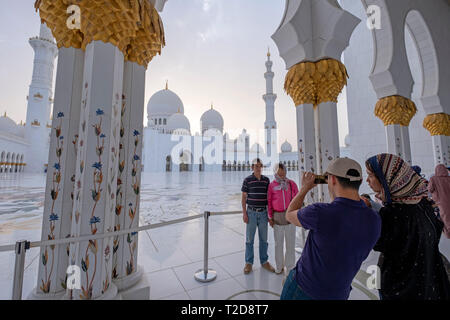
(342, 234)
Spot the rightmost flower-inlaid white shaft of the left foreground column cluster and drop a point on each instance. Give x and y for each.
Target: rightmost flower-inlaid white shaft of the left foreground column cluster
(125, 272)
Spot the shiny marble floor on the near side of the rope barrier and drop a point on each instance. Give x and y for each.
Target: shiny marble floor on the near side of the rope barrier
(169, 257)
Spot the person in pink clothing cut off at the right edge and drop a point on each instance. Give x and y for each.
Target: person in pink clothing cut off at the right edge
(440, 190)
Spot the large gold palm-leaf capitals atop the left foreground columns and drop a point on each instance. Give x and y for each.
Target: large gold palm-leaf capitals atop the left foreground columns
(133, 26)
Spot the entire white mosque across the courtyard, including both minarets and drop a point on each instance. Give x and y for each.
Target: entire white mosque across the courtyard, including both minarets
(169, 145)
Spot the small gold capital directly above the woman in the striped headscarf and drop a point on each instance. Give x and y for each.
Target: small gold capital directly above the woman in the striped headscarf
(395, 110)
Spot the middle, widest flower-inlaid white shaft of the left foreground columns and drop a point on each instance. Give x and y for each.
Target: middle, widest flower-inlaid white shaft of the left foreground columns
(96, 170)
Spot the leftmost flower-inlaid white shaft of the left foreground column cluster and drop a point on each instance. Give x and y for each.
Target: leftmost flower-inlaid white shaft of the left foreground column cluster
(53, 260)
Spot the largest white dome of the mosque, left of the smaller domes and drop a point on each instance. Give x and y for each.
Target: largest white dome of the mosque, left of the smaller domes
(164, 103)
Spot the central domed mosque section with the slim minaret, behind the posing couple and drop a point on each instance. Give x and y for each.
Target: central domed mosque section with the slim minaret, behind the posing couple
(169, 145)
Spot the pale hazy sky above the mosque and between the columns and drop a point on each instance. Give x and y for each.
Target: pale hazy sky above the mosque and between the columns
(215, 52)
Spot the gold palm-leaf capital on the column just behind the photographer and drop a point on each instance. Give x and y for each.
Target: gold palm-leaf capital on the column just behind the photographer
(316, 82)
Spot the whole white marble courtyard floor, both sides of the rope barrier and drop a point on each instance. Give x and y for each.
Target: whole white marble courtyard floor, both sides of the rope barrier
(169, 256)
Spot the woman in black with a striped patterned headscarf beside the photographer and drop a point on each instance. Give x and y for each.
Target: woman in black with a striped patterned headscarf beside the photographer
(410, 262)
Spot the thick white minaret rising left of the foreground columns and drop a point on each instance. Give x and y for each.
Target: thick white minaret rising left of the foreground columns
(40, 100)
